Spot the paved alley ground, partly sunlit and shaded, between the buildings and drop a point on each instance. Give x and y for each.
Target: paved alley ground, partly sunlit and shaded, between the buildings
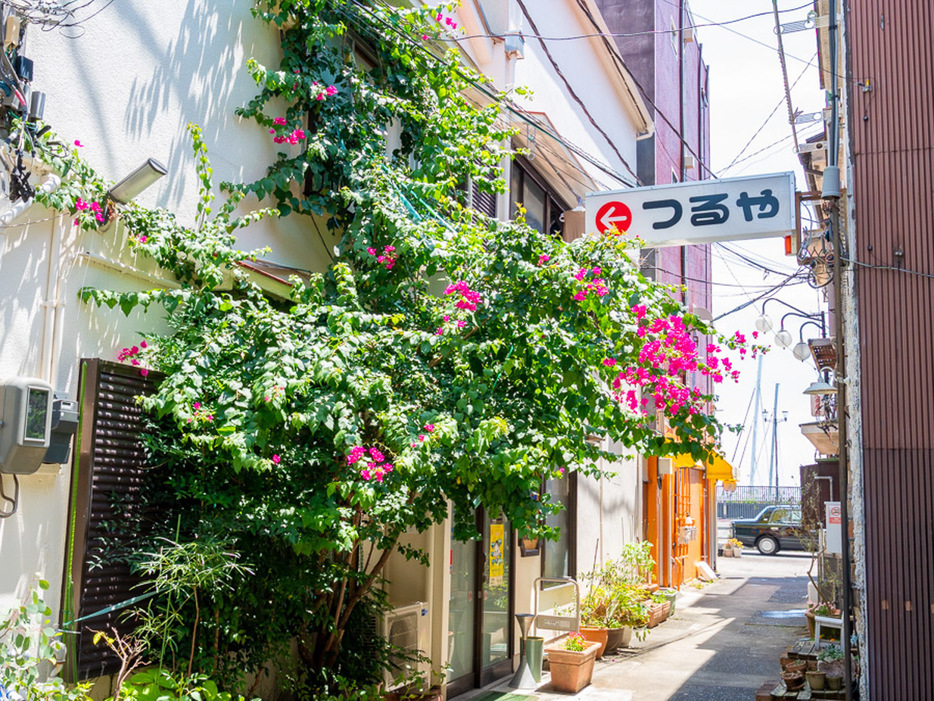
(723, 642)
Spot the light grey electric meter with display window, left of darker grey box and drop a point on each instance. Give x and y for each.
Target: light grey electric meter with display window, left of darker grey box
(26, 429)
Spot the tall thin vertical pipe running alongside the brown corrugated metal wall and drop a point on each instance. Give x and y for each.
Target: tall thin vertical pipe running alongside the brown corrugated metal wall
(831, 192)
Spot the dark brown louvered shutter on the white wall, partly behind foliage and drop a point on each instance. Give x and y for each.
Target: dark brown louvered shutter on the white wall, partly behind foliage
(108, 472)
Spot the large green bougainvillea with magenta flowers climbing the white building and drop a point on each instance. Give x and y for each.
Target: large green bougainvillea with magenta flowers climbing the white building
(443, 358)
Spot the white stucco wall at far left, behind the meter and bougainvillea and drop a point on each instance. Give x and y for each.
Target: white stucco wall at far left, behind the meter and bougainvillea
(126, 88)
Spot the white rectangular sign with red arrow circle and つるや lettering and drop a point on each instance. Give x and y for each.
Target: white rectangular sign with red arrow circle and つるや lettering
(698, 212)
